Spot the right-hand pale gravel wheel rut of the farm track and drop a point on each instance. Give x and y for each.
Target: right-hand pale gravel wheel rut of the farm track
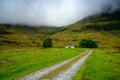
(71, 71)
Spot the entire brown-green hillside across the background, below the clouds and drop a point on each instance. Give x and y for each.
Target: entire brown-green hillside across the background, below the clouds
(104, 29)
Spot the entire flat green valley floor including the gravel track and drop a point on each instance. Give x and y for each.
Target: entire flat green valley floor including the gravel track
(67, 64)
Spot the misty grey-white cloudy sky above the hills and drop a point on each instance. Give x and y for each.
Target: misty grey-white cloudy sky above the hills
(52, 12)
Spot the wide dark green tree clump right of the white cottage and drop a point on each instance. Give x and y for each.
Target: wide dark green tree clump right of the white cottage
(87, 43)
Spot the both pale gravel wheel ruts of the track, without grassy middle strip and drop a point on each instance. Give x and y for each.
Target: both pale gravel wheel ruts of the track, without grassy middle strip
(62, 75)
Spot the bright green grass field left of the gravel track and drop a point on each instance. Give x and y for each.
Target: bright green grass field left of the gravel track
(15, 63)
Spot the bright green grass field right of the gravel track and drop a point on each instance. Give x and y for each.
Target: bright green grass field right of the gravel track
(101, 65)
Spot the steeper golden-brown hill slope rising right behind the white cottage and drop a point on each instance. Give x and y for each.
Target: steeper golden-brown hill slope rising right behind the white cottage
(104, 29)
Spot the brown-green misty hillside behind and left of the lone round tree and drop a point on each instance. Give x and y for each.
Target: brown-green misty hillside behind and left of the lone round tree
(24, 36)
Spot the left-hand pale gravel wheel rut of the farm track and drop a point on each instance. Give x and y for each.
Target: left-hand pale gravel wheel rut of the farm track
(38, 74)
